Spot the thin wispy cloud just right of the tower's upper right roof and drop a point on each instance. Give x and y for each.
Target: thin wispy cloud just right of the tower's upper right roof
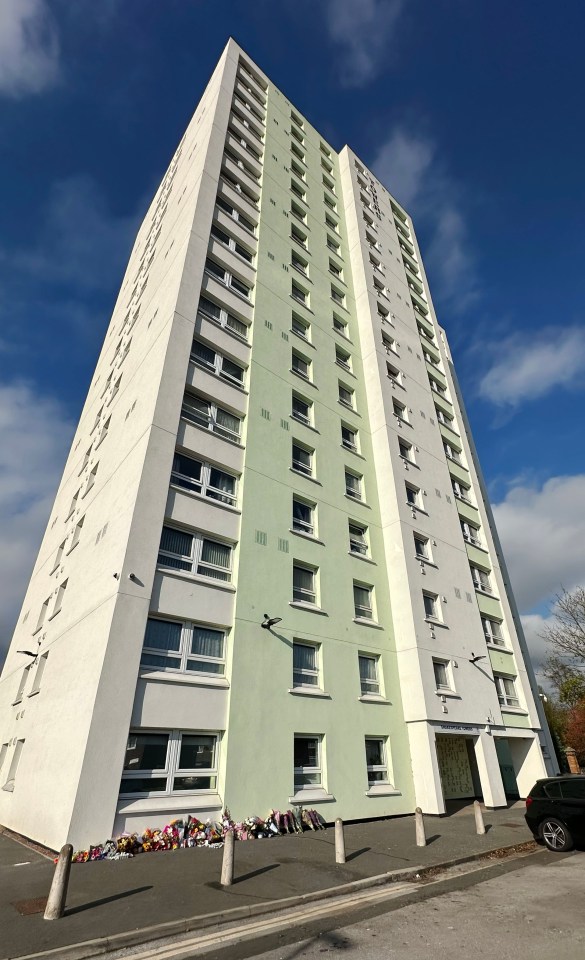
(407, 164)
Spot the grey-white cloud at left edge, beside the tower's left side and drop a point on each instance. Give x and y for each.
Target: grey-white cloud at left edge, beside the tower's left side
(35, 434)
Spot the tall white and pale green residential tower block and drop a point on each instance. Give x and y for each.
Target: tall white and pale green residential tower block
(275, 303)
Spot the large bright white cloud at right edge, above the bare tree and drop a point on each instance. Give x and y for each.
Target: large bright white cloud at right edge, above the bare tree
(543, 537)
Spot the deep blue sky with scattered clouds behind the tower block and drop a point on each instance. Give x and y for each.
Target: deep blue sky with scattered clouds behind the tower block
(470, 113)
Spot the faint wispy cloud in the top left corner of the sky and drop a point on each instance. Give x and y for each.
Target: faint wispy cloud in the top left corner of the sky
(29, 47)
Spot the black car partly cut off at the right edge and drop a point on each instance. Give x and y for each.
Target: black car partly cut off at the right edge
(555, 811)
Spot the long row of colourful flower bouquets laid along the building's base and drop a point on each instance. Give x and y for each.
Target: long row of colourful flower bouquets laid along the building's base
(191, 832)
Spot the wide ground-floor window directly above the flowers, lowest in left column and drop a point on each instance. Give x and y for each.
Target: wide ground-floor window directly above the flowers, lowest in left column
(169, 763)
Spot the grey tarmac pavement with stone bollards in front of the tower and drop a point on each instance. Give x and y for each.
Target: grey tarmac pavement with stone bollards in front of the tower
(109, 897)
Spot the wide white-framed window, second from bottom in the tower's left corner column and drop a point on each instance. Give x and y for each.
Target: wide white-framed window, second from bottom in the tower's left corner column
(183, 647)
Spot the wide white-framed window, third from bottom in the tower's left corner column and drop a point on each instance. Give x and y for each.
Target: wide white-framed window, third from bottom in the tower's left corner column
(195, 553)
